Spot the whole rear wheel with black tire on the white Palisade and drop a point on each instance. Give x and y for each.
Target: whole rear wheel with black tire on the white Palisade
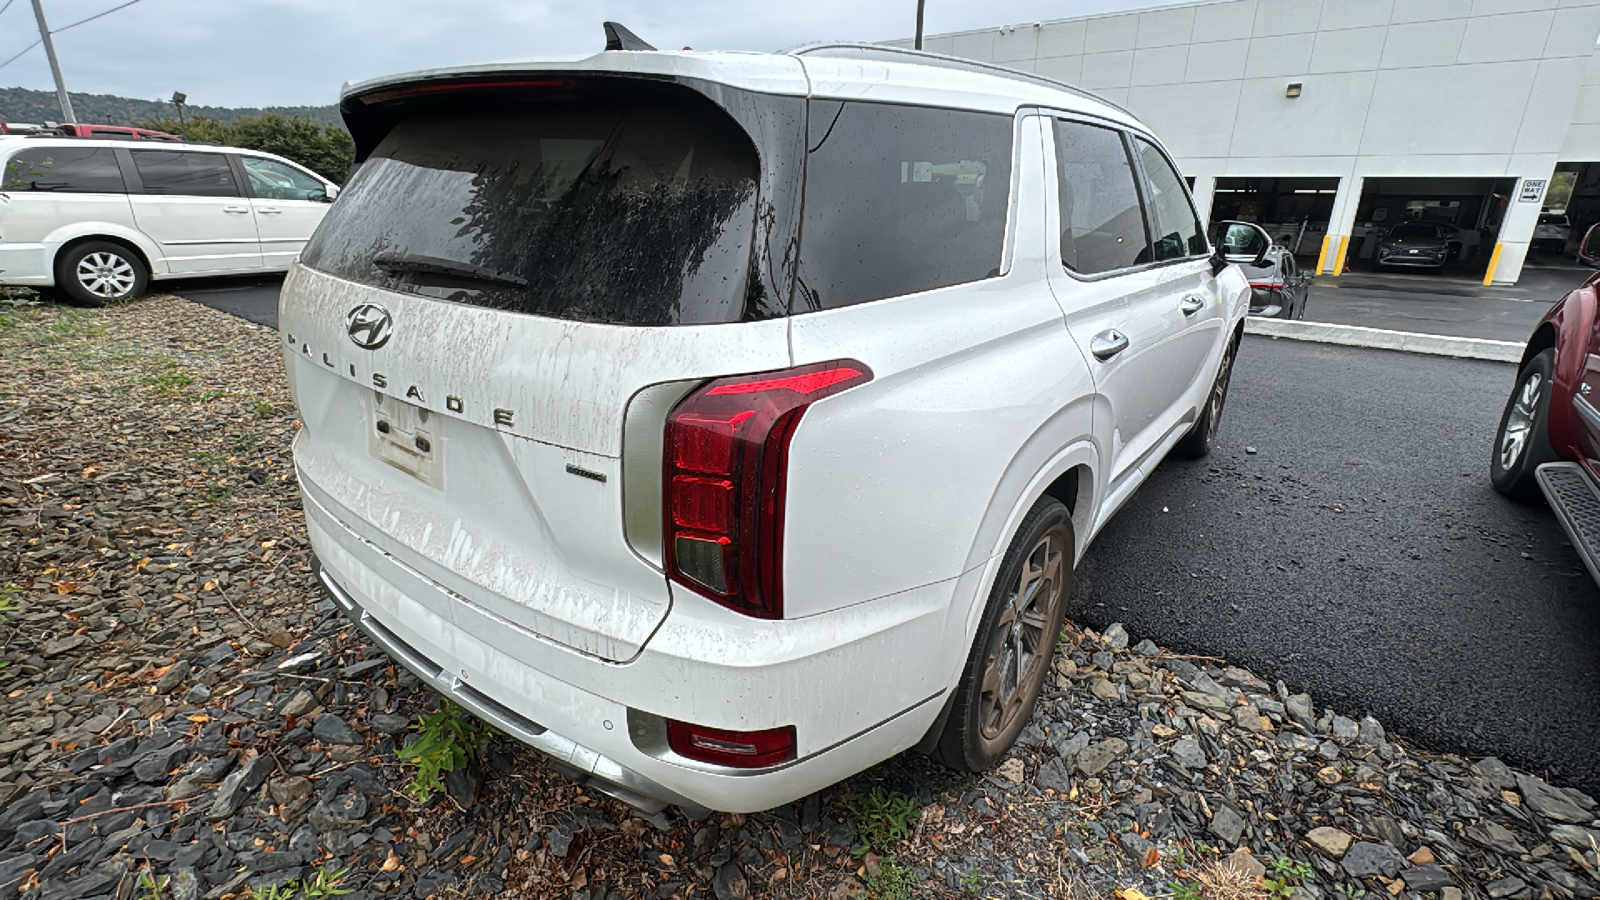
(1038, 574)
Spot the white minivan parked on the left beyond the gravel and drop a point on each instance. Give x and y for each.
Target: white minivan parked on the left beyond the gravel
(100, 220)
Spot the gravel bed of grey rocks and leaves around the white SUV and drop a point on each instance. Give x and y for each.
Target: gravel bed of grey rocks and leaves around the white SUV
(183, 705)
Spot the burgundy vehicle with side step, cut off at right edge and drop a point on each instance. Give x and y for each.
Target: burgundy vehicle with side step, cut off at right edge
(1550, 435)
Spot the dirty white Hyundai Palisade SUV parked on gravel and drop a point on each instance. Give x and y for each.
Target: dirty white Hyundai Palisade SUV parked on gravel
(727, 424)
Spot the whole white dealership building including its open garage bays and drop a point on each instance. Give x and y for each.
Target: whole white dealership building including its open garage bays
(1332, 121)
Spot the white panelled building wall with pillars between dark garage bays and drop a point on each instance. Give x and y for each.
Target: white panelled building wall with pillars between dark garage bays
(1482, 89)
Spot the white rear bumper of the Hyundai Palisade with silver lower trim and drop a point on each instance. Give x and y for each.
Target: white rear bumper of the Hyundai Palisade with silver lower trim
(604, 723)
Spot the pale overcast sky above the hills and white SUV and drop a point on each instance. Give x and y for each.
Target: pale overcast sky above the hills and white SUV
(300, 52)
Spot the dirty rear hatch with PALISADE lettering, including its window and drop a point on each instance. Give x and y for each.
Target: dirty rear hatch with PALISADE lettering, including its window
(514, 262)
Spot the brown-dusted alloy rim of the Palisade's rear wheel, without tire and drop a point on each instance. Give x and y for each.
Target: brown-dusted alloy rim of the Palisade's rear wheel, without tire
(1020, 646)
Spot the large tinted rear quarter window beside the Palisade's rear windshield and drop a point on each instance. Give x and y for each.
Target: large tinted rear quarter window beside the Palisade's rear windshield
(900, 201)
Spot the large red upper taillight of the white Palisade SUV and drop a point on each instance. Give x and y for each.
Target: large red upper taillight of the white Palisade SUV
(726, 468)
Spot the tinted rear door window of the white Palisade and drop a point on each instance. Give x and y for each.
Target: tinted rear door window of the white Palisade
(1102, 225)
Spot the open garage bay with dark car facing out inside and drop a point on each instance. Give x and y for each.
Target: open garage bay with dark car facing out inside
(1399, 222)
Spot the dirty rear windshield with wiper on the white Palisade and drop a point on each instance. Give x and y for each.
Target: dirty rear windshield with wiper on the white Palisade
(620, 211)
